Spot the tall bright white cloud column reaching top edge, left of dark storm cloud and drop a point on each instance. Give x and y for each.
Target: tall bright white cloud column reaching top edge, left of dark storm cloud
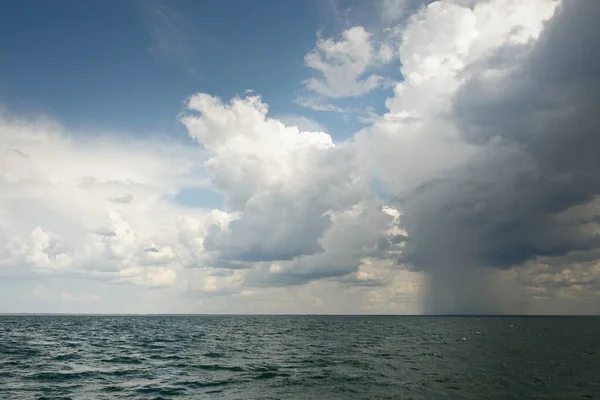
(417, 138)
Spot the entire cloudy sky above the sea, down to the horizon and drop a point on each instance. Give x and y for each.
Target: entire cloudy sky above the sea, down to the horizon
(309, 157)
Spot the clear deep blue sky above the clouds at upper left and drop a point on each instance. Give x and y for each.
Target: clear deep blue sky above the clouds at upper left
(129, 65)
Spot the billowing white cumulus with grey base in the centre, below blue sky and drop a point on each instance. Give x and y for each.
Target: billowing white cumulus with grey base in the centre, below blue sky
(280, 180)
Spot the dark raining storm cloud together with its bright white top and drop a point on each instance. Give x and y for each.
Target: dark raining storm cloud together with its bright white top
(519, 96)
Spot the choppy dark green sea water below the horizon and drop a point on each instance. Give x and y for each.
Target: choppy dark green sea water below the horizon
(299, 357)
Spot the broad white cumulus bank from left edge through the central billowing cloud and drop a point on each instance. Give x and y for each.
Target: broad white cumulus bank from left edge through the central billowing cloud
(297, 206)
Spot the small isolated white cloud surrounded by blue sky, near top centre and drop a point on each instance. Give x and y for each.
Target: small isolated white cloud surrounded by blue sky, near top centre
(344, 62)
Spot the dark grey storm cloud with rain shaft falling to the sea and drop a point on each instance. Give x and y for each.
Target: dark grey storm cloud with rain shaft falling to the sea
(539, 130)
